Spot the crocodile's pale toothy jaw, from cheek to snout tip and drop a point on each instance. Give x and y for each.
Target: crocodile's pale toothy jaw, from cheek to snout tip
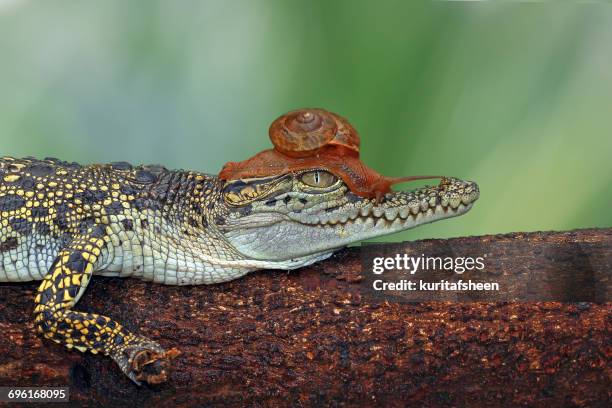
(280, 236)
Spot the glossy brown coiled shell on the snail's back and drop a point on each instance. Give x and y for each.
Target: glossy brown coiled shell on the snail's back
(304, 132)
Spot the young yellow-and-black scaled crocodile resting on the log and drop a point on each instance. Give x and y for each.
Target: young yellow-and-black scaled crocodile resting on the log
(61, 223)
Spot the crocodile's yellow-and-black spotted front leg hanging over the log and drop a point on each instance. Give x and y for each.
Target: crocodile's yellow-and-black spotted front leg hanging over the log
(140, 358)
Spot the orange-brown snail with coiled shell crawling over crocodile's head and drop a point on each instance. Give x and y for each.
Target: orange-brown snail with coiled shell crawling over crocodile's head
(309, 139)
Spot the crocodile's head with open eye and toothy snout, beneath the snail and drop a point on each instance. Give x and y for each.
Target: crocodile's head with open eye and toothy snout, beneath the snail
(304, 215)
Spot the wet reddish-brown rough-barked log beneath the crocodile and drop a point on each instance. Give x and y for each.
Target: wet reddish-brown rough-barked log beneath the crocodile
(312, 337)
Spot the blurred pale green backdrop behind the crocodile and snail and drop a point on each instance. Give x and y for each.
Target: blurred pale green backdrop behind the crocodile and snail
(516, 96)
